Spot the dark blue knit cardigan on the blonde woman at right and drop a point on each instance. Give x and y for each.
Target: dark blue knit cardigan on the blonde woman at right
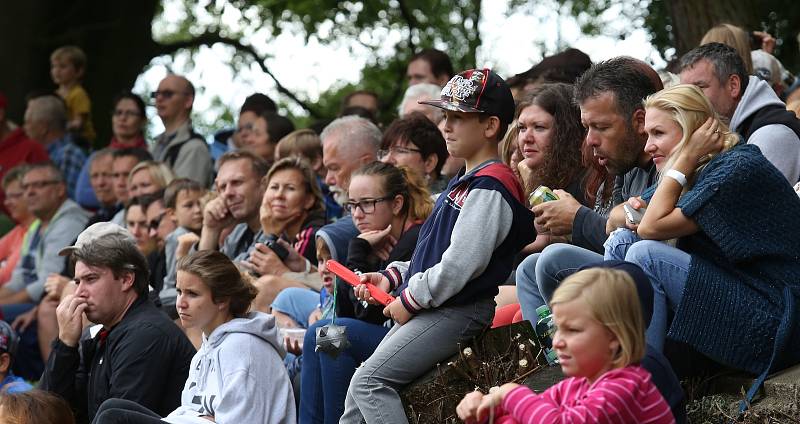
(746, 251)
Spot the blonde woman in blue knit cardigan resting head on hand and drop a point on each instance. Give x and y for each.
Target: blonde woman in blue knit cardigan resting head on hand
(719, 240)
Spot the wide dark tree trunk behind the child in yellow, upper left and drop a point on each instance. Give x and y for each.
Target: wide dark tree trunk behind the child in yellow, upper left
(115, 35)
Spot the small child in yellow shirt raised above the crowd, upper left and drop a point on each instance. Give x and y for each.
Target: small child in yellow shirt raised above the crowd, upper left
(67, 68)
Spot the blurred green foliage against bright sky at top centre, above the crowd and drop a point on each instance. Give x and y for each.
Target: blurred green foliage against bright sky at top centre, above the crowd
(390, 31)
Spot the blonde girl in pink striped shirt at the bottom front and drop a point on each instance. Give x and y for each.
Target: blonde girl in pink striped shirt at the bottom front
(599, 341)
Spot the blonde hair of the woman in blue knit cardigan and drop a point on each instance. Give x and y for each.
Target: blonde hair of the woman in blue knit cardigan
(689, 108)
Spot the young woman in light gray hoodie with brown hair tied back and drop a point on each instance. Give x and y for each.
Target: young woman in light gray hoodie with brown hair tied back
(237, 376)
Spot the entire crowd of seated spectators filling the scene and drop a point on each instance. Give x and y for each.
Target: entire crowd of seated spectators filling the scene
(173, 280)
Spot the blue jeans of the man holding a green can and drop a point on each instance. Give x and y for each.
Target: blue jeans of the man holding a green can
(539, 274)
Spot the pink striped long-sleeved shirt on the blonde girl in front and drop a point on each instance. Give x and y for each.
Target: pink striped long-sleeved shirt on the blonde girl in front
(623, 395)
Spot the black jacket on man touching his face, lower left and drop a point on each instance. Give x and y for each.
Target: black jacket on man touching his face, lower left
(145, 358)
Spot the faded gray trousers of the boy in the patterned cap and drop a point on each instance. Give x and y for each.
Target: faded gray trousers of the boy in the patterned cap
(406, 353)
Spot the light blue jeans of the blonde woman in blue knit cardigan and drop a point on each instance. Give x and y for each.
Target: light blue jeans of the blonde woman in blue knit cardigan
(665, 266)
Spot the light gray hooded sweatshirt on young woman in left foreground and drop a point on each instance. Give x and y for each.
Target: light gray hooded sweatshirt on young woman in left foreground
(238, 377)
